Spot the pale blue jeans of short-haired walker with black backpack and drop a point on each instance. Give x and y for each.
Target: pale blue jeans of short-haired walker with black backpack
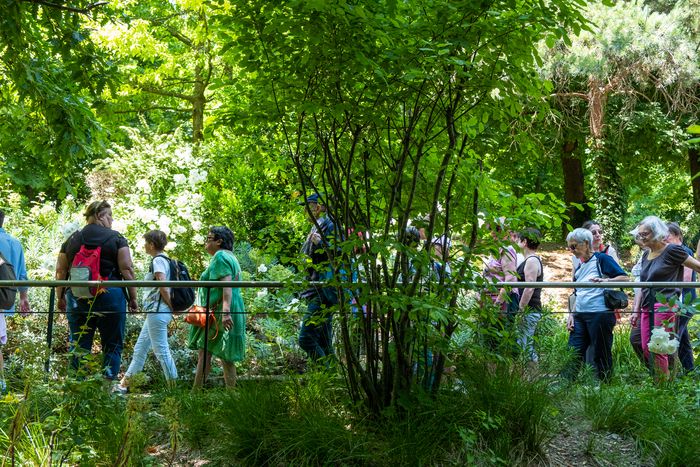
(154, 335)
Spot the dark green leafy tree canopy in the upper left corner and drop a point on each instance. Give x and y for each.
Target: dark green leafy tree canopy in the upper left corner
(52, 73)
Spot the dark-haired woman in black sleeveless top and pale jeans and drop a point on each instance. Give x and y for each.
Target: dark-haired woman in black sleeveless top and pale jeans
(530, 305)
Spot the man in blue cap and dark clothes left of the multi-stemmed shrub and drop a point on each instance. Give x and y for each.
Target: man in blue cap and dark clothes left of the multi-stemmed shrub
(316, 334)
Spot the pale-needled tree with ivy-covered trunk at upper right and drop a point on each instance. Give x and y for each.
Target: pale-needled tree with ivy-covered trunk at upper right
(629, 83)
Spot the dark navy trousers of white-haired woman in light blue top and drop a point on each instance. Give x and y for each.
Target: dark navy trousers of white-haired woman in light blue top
(592, 330)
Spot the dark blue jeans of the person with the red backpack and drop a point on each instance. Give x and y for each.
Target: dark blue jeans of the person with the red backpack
(107, 315)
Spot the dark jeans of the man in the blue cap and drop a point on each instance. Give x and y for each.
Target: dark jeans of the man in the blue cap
(316, 334)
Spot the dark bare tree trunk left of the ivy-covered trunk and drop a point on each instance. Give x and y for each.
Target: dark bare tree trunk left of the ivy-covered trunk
(572, 169)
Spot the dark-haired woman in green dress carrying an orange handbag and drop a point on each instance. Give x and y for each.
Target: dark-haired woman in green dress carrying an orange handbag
(228, 344)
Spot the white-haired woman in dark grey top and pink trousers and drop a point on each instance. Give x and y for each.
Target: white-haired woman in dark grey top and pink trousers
(662, 262)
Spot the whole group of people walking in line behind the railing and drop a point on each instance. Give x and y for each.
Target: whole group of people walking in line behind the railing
(590, 321)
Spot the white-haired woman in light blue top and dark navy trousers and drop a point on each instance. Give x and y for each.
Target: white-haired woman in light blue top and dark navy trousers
(592, 321)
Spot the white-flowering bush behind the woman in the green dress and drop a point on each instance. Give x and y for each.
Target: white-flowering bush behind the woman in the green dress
(156, 182)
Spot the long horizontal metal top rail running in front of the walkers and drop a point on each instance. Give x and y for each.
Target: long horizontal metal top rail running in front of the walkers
(280, 285)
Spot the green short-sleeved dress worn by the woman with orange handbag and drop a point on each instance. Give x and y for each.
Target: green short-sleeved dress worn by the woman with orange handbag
(227, 345)
